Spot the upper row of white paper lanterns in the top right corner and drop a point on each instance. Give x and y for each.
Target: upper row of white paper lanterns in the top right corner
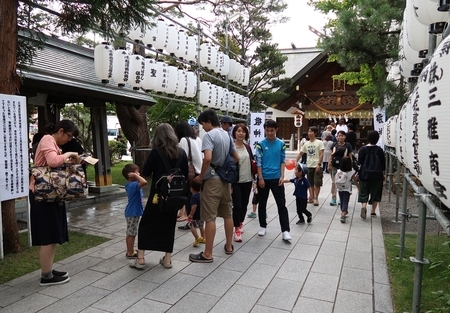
(414, 37)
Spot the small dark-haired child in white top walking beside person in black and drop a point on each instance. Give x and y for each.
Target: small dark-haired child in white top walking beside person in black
(344, 176)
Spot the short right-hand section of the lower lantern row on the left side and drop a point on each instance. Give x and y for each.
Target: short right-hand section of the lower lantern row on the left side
(220, 98)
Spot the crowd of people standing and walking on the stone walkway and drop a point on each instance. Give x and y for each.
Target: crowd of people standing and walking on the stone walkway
(207, 195)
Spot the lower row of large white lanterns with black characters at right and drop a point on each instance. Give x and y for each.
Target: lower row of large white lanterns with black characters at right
(418, 132)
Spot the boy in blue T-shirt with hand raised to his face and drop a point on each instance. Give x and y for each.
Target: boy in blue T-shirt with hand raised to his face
(135, 206)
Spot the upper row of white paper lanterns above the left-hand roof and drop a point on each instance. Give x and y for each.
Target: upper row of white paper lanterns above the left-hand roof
(167, 37)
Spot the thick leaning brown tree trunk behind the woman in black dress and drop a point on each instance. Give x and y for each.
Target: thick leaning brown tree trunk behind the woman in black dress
(134, 126)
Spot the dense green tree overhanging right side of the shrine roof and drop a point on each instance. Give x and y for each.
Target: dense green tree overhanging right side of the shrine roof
(363, 38)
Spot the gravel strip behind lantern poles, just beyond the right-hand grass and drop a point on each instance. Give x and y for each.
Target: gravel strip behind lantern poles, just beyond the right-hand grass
(387, 211)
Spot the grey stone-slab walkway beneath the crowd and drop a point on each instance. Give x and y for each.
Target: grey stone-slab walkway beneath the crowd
(327, 267)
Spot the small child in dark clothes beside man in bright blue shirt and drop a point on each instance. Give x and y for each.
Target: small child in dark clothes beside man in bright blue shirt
(301, 192)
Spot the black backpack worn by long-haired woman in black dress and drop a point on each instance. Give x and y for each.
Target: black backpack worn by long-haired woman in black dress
(171, 187)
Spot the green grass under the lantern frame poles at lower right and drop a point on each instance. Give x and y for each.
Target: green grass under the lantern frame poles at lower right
(436, 275)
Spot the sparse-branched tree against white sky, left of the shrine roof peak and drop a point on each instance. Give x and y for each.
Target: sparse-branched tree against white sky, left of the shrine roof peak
(249, 37)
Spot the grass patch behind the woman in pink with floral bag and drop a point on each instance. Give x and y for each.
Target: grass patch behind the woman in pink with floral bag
(18, 264)
